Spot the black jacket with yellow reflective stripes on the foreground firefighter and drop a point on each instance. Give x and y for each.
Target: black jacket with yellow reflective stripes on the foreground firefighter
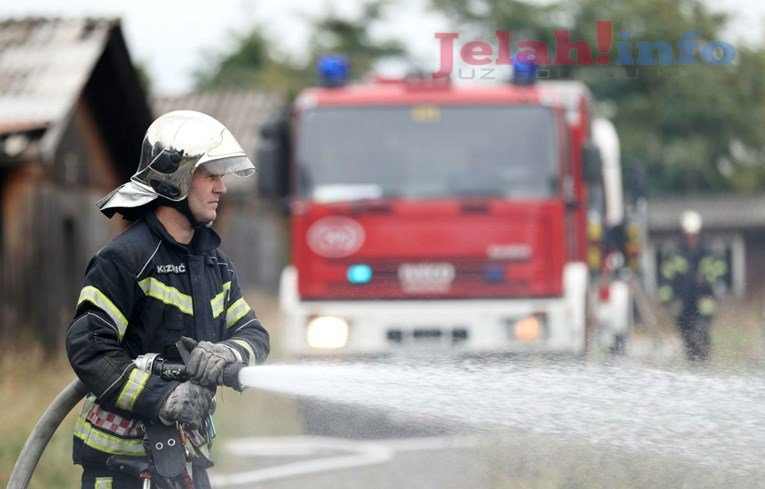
(141, 293)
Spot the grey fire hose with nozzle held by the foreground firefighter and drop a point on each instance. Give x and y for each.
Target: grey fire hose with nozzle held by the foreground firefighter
(74, 392)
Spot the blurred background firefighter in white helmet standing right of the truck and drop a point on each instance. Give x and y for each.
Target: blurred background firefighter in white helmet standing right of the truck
(689, 275)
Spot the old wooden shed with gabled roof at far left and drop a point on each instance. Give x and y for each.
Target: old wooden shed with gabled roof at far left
(72, 117)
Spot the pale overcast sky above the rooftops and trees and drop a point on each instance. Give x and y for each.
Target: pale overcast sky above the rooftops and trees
(172, 38)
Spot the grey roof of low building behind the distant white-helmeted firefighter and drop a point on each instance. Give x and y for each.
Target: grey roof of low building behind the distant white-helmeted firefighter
(718, 212)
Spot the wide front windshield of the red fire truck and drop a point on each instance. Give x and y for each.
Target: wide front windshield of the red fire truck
(427, 151)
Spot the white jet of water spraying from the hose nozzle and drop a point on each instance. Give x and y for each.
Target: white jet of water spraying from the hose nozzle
(699, 416)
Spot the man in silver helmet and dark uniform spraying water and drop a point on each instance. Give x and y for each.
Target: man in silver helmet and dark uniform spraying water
(161, 279)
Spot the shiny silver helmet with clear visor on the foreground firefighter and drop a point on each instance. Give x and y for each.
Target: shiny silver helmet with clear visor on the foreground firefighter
(176, 144)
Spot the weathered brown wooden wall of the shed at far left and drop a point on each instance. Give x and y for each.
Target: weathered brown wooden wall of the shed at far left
(51, 228)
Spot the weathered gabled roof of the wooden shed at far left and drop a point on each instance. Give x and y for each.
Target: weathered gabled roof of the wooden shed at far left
(47, 64)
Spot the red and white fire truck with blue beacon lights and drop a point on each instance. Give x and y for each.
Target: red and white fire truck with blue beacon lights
(427, 215)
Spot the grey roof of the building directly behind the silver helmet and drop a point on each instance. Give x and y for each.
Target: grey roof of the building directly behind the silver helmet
(241, 111)
